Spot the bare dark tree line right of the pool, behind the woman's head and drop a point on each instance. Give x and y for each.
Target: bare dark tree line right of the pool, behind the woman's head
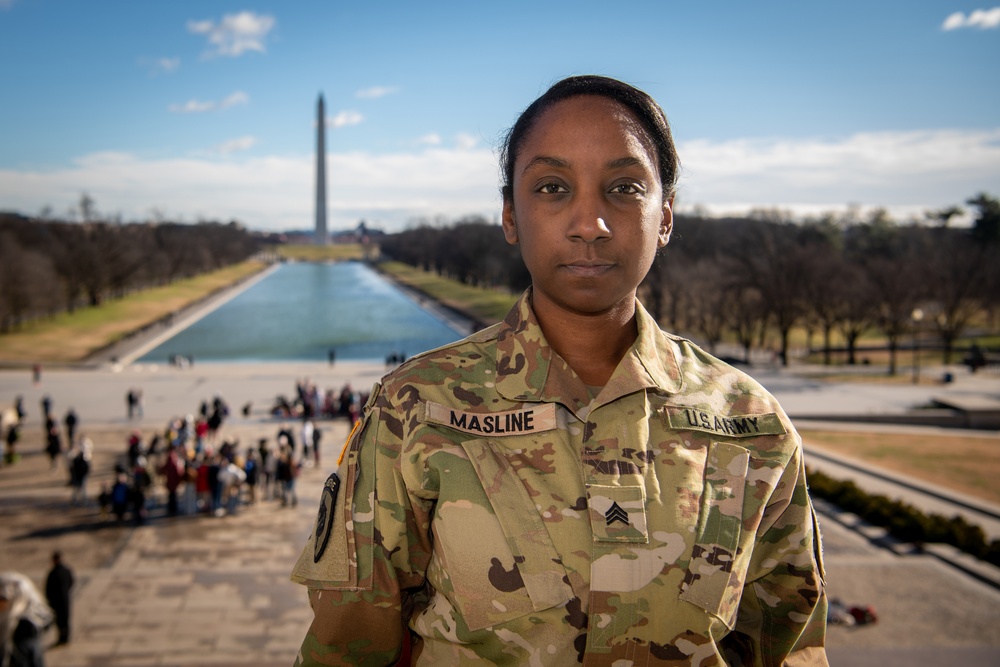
(753, 278)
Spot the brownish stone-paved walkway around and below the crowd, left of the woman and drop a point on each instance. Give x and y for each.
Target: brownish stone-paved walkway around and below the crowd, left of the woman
(188, 590)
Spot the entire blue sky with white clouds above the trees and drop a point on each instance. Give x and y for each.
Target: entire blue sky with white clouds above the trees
(206, 110)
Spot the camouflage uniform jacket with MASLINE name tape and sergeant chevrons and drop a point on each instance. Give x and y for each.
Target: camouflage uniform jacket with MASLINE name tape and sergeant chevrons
(508, 517)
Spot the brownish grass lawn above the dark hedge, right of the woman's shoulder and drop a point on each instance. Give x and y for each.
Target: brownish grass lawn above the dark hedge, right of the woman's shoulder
(968, 464)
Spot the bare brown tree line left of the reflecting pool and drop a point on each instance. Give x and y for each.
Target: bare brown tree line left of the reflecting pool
(51, 266)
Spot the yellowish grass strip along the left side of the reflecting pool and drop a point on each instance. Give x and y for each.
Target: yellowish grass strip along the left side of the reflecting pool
(71, 337)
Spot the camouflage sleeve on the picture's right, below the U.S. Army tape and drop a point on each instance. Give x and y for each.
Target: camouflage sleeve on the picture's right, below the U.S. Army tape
(782, 614)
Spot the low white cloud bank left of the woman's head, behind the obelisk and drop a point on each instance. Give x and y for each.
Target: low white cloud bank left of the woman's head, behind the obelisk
(267, 192)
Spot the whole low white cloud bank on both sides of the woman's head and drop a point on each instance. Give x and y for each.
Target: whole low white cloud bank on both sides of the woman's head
(905, 172)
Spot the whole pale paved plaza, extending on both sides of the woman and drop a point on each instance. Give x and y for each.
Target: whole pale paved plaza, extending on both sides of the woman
(203, 590)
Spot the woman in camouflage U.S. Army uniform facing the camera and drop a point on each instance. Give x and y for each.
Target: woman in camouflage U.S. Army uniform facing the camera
(571, 485)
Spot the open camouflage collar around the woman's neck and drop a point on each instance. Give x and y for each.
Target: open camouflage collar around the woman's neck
(528, 369)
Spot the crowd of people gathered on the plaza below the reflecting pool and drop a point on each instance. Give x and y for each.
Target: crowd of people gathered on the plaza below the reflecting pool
(190, 467)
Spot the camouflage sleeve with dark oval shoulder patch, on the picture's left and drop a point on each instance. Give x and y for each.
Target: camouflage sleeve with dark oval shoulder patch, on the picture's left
(361, 584)
